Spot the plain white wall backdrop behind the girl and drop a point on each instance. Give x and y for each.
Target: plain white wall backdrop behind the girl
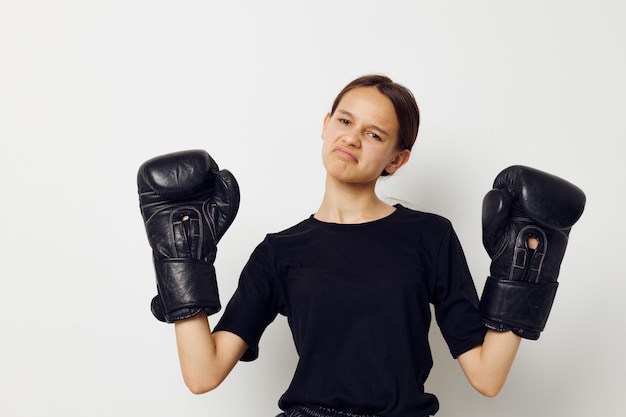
(91, 89)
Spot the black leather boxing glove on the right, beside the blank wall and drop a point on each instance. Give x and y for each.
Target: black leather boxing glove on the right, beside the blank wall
(522, 285)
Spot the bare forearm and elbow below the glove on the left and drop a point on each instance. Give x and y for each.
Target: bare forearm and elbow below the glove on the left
(206, 358)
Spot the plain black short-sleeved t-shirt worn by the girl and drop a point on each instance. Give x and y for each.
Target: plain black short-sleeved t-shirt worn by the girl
(357, 299)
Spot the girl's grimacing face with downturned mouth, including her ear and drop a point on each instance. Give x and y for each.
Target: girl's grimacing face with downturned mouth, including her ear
(361, 137)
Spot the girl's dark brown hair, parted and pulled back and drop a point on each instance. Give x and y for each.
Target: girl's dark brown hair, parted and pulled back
(403, 102)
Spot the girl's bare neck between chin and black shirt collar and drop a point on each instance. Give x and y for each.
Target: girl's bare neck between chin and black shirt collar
(351, 203)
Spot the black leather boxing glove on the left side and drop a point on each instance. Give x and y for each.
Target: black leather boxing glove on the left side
(187, 205)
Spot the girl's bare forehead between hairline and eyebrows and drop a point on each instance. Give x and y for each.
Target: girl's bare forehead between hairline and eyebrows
(371, 105)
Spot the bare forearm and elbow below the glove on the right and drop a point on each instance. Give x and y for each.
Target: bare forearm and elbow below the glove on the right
(487, 366)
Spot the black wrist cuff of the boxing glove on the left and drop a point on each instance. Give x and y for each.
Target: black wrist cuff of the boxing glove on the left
(185, 288)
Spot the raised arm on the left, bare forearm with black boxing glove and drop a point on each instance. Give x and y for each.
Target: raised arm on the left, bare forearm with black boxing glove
(187, 204)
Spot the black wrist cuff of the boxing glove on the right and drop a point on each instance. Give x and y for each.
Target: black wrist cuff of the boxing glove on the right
(520, 306)
